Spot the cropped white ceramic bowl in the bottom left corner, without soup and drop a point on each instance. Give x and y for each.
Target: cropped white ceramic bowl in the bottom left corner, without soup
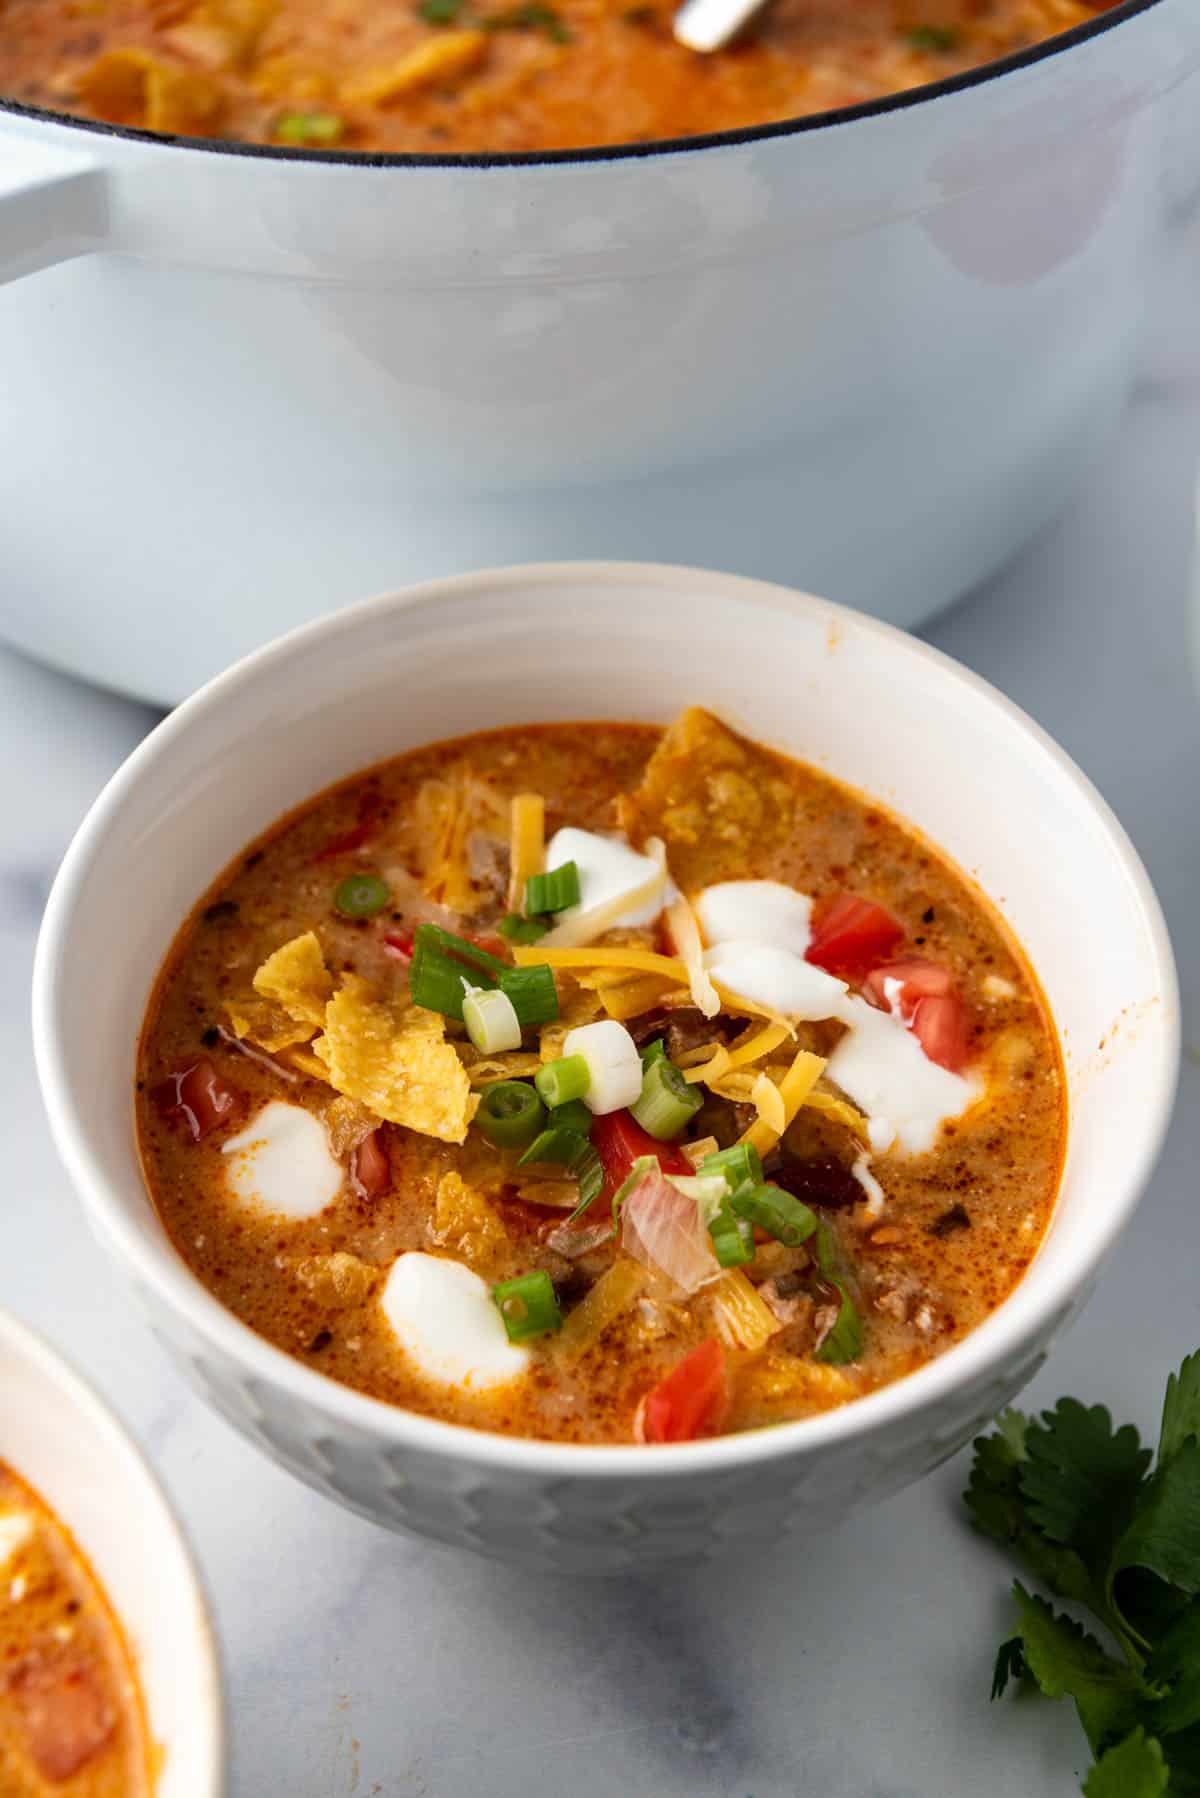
(67, 1445)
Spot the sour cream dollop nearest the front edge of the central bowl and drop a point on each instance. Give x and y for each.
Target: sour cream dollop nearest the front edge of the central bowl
(445, 1321)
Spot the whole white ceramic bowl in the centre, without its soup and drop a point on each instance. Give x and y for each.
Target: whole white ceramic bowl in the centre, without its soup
(609, 641)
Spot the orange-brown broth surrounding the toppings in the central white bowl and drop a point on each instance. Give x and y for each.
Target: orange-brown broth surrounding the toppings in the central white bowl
(960, 1224)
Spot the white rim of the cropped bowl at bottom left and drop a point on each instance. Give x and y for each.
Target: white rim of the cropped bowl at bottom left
(51, 1366)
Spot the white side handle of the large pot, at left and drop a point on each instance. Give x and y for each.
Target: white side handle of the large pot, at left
(53, 206)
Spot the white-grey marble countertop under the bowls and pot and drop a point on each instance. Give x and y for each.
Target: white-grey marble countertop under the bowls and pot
(364, 1666)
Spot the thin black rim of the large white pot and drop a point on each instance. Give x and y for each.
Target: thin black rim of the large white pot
(670, 147)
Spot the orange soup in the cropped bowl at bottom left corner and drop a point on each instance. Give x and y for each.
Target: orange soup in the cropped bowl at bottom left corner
(71, 1711)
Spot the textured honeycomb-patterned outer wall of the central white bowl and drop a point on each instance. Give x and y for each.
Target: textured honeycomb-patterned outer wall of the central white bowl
(568, 1524)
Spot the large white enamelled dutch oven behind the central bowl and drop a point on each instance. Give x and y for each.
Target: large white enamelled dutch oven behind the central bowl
(870, 350)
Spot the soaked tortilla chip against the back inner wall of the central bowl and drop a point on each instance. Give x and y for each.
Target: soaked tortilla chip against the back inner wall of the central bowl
(704, 788)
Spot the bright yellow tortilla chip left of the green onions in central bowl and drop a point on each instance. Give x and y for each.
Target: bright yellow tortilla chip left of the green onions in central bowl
(397, 1062)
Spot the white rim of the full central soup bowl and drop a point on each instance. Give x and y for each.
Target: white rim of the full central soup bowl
(1003, 1335)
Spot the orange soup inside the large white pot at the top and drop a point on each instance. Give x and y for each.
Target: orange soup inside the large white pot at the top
(487, 75)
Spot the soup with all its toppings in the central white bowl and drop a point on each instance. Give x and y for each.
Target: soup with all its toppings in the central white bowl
(602, 1085)
